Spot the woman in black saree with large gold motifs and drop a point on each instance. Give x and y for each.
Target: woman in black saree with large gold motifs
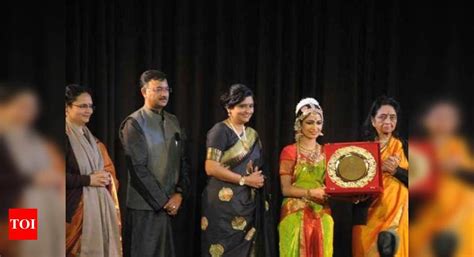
(234, 204)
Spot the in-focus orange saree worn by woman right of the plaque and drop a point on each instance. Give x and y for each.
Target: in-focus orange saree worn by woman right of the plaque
(388, 212)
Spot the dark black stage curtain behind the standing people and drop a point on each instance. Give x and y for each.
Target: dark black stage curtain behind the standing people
(343, 53)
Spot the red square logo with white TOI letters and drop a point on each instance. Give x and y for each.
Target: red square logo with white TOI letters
(22, 224)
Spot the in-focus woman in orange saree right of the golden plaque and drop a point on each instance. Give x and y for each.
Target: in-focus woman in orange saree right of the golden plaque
(389, 211)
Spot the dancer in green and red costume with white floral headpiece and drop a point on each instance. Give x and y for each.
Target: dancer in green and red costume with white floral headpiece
(306, 225)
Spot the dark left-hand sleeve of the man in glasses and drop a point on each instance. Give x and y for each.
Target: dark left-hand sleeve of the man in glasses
(136, 156)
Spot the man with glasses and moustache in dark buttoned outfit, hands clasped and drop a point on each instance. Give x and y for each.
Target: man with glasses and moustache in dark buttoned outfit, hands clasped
(157, 168)
